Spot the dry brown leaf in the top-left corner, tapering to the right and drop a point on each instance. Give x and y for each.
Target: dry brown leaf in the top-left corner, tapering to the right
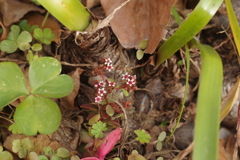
(14, 10)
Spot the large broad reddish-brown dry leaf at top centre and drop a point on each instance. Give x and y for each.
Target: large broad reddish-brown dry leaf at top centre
(139, 20)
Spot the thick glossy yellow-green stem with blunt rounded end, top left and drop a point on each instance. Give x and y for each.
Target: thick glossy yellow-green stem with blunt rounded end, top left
(70, 13)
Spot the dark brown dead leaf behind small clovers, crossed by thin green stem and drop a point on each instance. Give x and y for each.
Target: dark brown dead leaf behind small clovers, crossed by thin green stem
(35, 18)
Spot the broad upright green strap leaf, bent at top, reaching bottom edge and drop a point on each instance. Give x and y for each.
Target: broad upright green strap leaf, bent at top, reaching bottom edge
(208, 106)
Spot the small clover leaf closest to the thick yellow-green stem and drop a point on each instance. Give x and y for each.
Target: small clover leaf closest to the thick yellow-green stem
(44, 36)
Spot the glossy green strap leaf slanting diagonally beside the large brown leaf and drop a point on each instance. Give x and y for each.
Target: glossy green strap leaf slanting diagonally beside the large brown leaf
(200, 16)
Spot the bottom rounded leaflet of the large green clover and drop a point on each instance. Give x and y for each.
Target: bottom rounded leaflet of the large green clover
(36, 114)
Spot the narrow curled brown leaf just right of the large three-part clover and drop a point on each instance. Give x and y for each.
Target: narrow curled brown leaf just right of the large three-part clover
(68, 101)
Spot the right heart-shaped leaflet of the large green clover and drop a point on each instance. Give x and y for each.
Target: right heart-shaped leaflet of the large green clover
(45, 79)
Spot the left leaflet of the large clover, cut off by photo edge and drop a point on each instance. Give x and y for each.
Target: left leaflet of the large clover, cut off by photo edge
(12, 83)
